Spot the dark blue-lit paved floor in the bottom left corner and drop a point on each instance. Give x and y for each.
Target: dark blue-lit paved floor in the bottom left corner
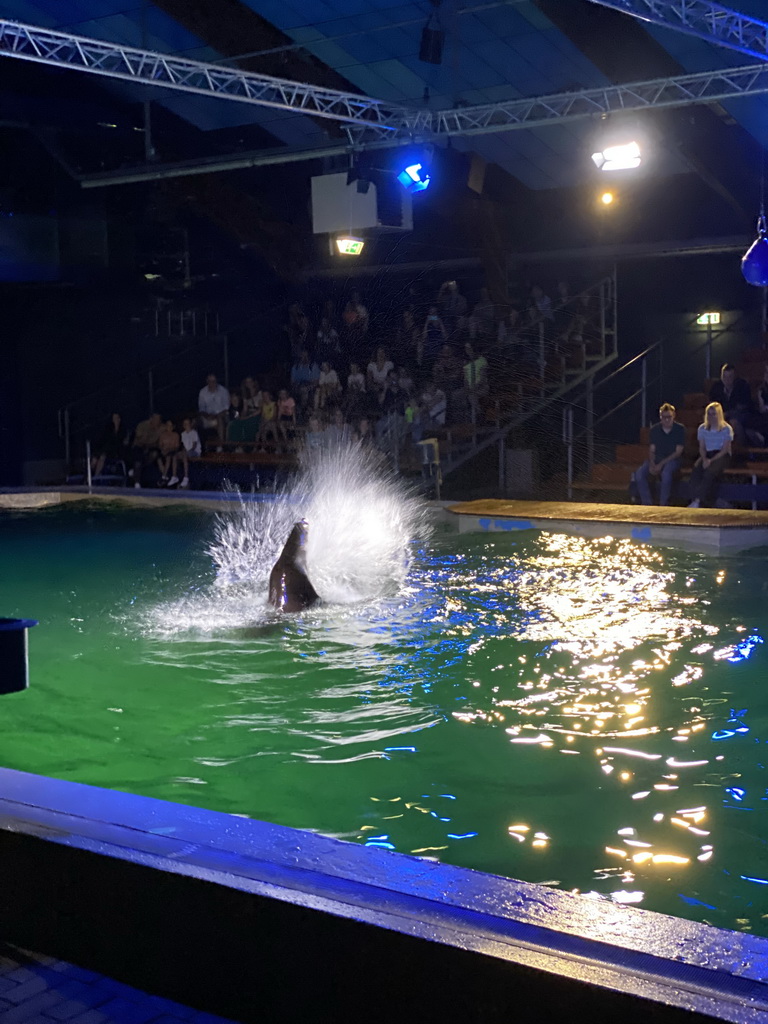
(37, 990)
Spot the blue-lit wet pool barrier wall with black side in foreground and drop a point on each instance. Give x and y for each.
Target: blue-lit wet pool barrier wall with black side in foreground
(263, 923)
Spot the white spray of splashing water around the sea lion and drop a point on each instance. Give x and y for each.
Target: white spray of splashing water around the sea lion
(362, 522)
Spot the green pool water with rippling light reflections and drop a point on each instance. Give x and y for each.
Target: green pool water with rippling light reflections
(588, 714)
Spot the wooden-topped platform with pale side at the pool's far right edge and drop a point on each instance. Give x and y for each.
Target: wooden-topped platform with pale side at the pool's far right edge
(710, 531)
